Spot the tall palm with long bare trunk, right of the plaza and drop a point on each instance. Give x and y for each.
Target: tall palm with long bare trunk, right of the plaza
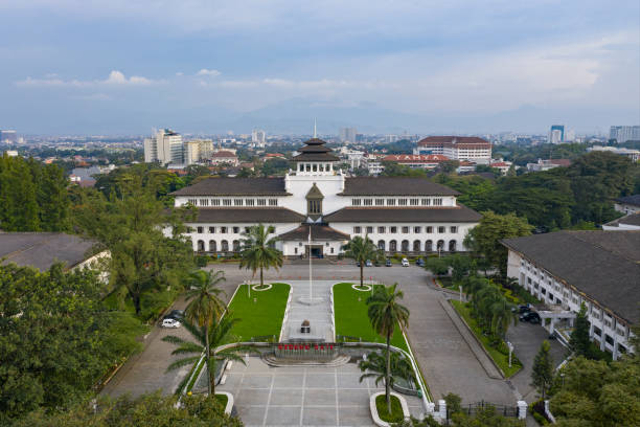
(385, 312)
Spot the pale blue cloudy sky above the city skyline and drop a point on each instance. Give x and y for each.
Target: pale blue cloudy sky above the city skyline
(119, 66)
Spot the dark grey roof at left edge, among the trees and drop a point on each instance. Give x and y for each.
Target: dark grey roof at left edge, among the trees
(42, 250)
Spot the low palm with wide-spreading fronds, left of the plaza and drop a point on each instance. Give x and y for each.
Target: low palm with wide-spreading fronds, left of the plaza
(218, 334)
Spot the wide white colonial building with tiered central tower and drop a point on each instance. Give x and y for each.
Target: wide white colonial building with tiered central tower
(401, 215)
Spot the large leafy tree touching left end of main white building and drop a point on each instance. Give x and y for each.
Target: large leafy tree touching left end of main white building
(130, 226)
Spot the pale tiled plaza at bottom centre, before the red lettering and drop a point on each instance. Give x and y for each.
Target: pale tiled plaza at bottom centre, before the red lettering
(303, 396)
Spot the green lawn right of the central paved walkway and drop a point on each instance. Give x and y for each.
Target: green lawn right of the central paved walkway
(352, 319)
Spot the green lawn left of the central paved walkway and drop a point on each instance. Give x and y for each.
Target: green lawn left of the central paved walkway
(261, 314)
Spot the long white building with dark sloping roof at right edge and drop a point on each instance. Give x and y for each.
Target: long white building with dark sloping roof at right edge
(599, 269)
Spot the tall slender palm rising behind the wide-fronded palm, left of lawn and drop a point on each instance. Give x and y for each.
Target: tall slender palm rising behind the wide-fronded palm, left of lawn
(206, 305)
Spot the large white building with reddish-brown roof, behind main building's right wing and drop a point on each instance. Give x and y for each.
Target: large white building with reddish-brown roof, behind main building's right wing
(470, 148)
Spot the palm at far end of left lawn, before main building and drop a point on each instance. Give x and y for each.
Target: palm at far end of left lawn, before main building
(258, 250)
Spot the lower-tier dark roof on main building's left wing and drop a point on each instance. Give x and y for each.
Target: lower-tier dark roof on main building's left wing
(247, 215)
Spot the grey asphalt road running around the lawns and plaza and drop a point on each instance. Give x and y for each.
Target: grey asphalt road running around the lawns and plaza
(445, 358)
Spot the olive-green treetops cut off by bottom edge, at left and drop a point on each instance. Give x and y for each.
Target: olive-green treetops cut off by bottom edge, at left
(148, 410)
